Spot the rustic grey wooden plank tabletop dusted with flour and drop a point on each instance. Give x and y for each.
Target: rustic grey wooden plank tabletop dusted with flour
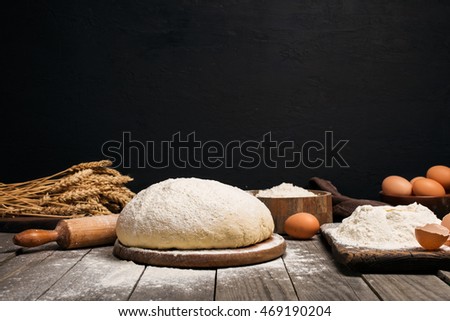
(307, 271)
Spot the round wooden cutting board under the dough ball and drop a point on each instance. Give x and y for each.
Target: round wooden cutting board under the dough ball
(267, 250)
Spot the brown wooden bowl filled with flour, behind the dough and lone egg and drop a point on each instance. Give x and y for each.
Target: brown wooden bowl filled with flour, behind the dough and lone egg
(283, 207)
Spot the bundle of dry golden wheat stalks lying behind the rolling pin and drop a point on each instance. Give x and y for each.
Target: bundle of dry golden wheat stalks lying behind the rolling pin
(85, 189)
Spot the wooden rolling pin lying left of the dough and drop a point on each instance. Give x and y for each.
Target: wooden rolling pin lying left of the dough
(73, 233)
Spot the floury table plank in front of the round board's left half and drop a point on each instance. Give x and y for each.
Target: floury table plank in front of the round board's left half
(173, 284)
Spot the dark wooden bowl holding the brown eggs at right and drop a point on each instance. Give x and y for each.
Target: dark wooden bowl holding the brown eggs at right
(440, 205)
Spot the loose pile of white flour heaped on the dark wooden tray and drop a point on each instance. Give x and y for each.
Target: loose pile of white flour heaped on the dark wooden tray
(384, 227)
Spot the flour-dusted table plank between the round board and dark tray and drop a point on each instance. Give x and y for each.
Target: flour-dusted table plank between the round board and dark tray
(317, 277)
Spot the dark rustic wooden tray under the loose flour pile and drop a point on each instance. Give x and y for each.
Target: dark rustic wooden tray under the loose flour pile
(387, 261)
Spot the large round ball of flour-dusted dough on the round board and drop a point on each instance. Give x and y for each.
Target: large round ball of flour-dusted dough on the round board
(192, 213)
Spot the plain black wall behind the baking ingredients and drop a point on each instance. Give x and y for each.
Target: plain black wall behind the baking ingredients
(79, 73)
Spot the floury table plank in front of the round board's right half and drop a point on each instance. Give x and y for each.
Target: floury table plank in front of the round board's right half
(266, 281)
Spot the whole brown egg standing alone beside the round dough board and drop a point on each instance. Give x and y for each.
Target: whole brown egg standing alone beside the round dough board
(301, 225)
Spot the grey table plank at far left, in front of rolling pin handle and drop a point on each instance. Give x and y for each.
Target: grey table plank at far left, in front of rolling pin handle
(43, 269)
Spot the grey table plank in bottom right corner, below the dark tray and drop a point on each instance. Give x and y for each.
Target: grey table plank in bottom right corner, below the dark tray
(408, 287)
